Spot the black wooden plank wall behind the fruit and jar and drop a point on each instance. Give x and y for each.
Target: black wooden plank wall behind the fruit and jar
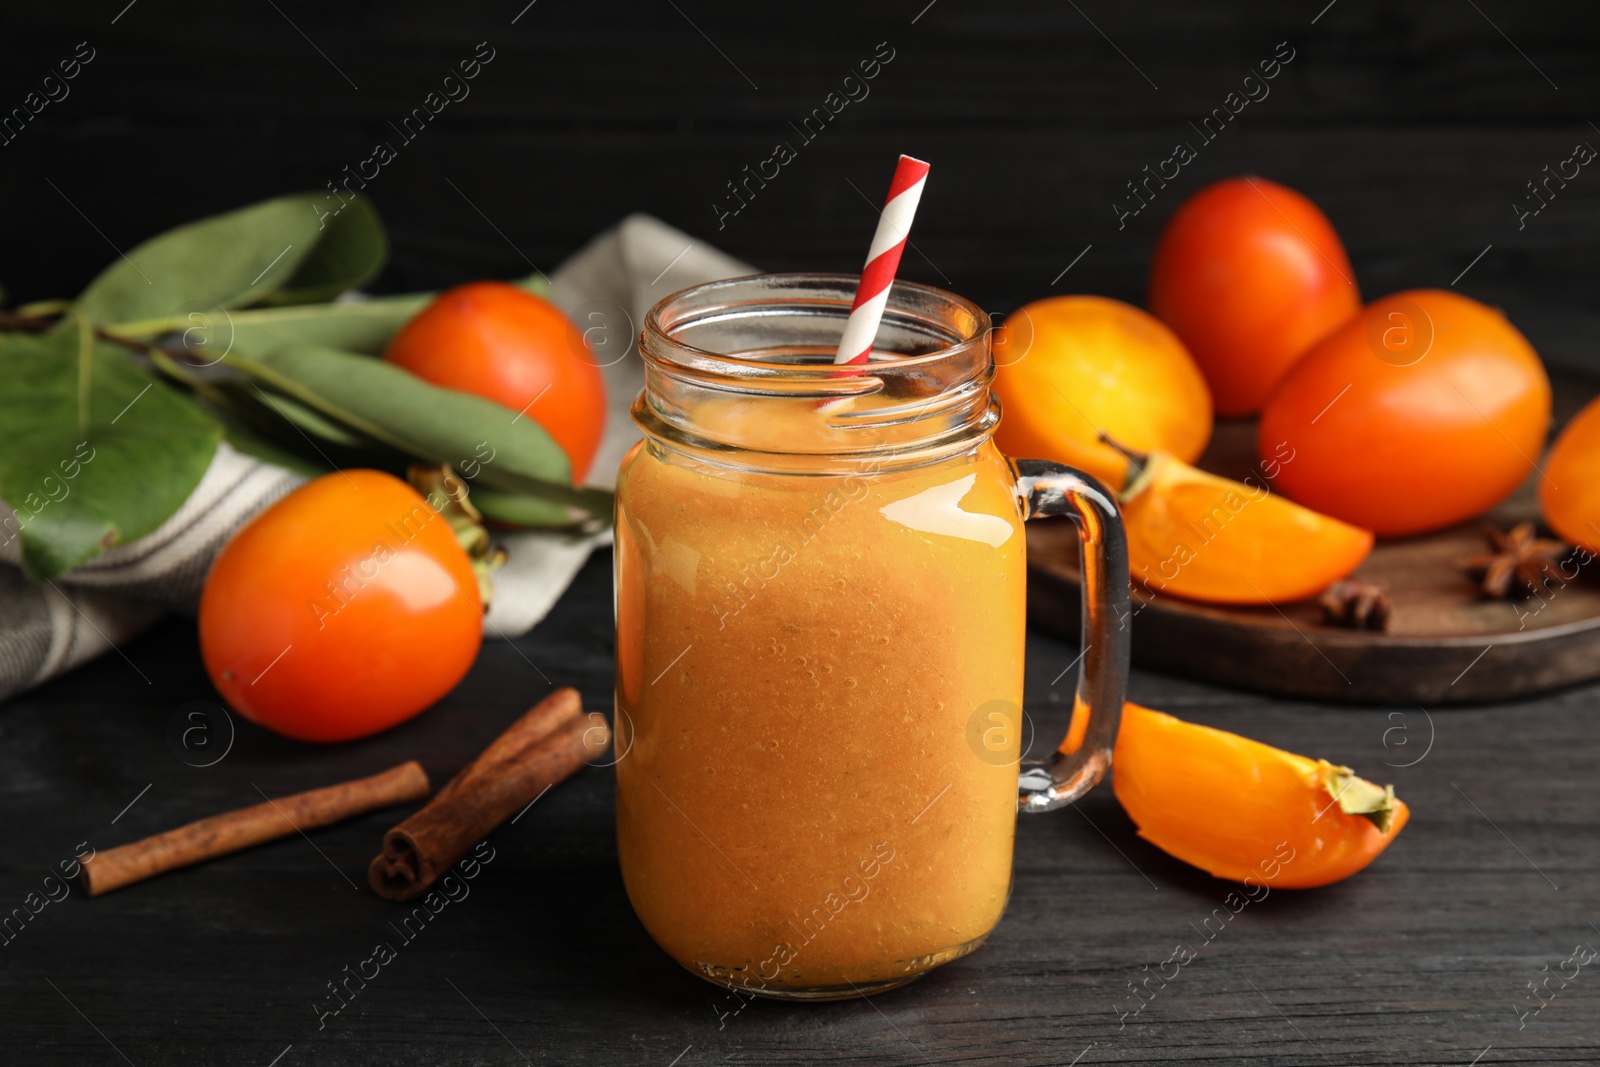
(1415, 127)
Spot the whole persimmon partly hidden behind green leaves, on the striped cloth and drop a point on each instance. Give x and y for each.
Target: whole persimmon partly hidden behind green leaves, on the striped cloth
(518, 350)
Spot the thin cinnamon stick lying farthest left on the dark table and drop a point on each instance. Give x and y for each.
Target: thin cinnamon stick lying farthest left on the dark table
(234, 831)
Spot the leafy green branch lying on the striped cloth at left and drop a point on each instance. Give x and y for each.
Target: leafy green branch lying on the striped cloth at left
(225, 329)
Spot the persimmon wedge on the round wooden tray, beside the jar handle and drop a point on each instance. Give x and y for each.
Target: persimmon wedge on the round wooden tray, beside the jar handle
(1207, 538)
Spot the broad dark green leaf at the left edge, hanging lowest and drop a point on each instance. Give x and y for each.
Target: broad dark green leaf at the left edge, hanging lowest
(146, 450)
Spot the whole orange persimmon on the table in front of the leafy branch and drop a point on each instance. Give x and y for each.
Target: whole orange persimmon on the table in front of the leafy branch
(342, 610)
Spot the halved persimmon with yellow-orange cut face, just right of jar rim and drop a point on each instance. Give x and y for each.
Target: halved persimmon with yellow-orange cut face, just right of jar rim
(1071, 369)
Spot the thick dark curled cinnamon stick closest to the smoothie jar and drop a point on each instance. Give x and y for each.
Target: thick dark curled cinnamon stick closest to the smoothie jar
(538, 751)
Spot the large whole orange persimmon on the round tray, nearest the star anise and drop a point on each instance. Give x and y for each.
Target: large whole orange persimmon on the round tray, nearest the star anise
(1422, 412)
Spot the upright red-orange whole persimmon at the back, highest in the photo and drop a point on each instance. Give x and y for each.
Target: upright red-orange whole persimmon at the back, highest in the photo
(1250, 274)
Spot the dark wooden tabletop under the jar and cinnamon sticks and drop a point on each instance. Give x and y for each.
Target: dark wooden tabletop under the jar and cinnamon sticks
(1425, 959)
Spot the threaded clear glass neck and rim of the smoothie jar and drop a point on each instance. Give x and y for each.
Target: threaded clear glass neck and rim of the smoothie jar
(716, 351)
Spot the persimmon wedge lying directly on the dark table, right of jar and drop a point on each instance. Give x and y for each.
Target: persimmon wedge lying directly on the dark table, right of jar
(1238, 809)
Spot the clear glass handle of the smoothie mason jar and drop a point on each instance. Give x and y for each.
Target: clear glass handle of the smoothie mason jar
(1050, 490)
